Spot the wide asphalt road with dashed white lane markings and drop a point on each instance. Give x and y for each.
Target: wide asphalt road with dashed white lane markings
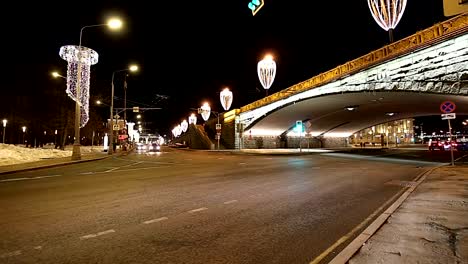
(195, 207)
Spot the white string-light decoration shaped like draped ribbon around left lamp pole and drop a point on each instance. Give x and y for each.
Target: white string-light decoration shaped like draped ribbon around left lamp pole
(88, 57)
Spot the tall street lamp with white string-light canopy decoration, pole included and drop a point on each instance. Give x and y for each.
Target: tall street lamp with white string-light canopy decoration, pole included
(79, 61)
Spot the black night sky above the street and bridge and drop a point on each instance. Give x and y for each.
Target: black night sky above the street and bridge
(190, 50)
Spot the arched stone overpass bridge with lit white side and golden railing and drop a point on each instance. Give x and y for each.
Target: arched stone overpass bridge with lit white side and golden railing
(405, 79)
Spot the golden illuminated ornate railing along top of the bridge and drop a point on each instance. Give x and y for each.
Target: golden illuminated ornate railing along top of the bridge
(430, 36)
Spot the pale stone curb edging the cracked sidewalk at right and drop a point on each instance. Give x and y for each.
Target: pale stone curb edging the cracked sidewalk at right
(350, 250)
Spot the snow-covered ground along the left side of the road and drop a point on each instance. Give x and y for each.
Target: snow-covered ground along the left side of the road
(16, 154)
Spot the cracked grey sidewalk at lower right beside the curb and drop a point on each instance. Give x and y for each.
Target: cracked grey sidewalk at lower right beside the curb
(430, 226)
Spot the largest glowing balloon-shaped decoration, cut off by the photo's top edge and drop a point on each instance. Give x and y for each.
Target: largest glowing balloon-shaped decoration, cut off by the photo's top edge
(387, 13)
